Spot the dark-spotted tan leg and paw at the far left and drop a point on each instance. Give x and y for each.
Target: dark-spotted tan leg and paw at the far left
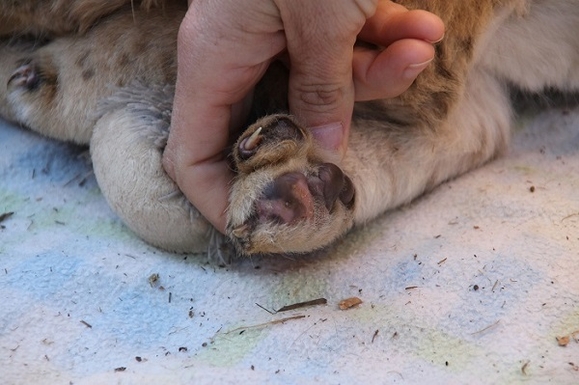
(55, 89)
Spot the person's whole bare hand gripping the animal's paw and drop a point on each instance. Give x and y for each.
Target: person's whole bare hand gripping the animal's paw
(225, 47)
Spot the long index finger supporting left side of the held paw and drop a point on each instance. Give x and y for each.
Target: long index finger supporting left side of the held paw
(216, 74)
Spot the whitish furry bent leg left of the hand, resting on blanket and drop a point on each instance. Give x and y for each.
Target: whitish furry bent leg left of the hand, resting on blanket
(126, 150)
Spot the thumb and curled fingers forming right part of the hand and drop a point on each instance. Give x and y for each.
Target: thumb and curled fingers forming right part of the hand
(327, 74)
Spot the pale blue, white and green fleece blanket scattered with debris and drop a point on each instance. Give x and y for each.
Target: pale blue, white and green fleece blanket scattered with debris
(472, 283)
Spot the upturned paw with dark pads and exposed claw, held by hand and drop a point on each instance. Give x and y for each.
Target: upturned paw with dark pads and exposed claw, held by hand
(286, 199)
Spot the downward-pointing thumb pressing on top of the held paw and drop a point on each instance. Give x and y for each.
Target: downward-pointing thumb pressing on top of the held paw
(320, 41)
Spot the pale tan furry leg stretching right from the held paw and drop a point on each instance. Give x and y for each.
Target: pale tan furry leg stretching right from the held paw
(390, 167)
